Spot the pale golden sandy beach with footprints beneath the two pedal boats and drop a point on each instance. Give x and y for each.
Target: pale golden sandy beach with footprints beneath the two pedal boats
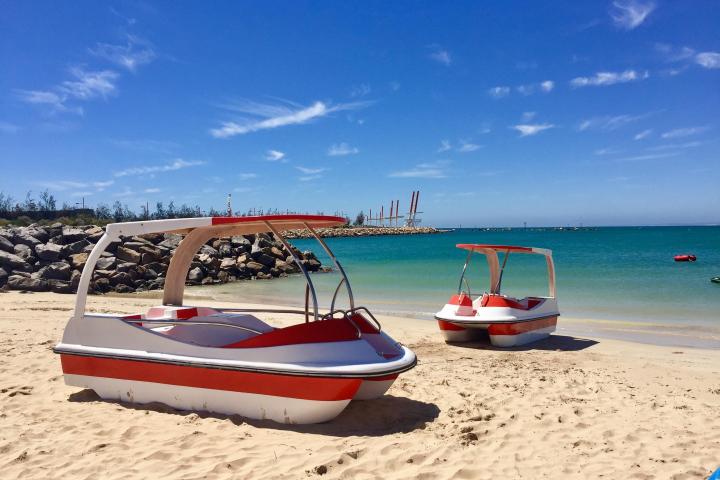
(564, 408)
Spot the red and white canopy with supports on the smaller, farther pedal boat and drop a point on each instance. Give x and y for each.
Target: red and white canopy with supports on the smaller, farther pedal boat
(496, 271)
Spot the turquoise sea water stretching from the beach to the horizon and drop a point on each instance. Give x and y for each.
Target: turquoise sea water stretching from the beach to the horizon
(621, 274)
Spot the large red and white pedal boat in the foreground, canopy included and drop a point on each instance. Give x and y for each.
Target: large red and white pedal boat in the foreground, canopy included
(228, 360)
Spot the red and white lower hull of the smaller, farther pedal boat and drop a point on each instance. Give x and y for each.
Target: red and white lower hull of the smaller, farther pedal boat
(501, 334)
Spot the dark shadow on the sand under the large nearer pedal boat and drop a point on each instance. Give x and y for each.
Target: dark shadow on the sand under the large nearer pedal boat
(386, 415)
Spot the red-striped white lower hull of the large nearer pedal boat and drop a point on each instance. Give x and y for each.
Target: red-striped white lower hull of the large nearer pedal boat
(283, 398)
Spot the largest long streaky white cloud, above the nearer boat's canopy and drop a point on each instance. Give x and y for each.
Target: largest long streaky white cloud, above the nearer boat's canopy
(268, 116)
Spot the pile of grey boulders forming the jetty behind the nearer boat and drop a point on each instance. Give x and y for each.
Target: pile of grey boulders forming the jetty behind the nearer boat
(38, 258)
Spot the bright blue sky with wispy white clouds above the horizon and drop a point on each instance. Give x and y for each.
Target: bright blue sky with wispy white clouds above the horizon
(499, 112)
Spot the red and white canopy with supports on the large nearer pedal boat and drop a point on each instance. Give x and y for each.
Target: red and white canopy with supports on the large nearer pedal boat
(197, 232)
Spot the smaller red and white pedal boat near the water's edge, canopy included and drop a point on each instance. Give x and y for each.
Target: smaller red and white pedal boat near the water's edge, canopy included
(508, 321)
